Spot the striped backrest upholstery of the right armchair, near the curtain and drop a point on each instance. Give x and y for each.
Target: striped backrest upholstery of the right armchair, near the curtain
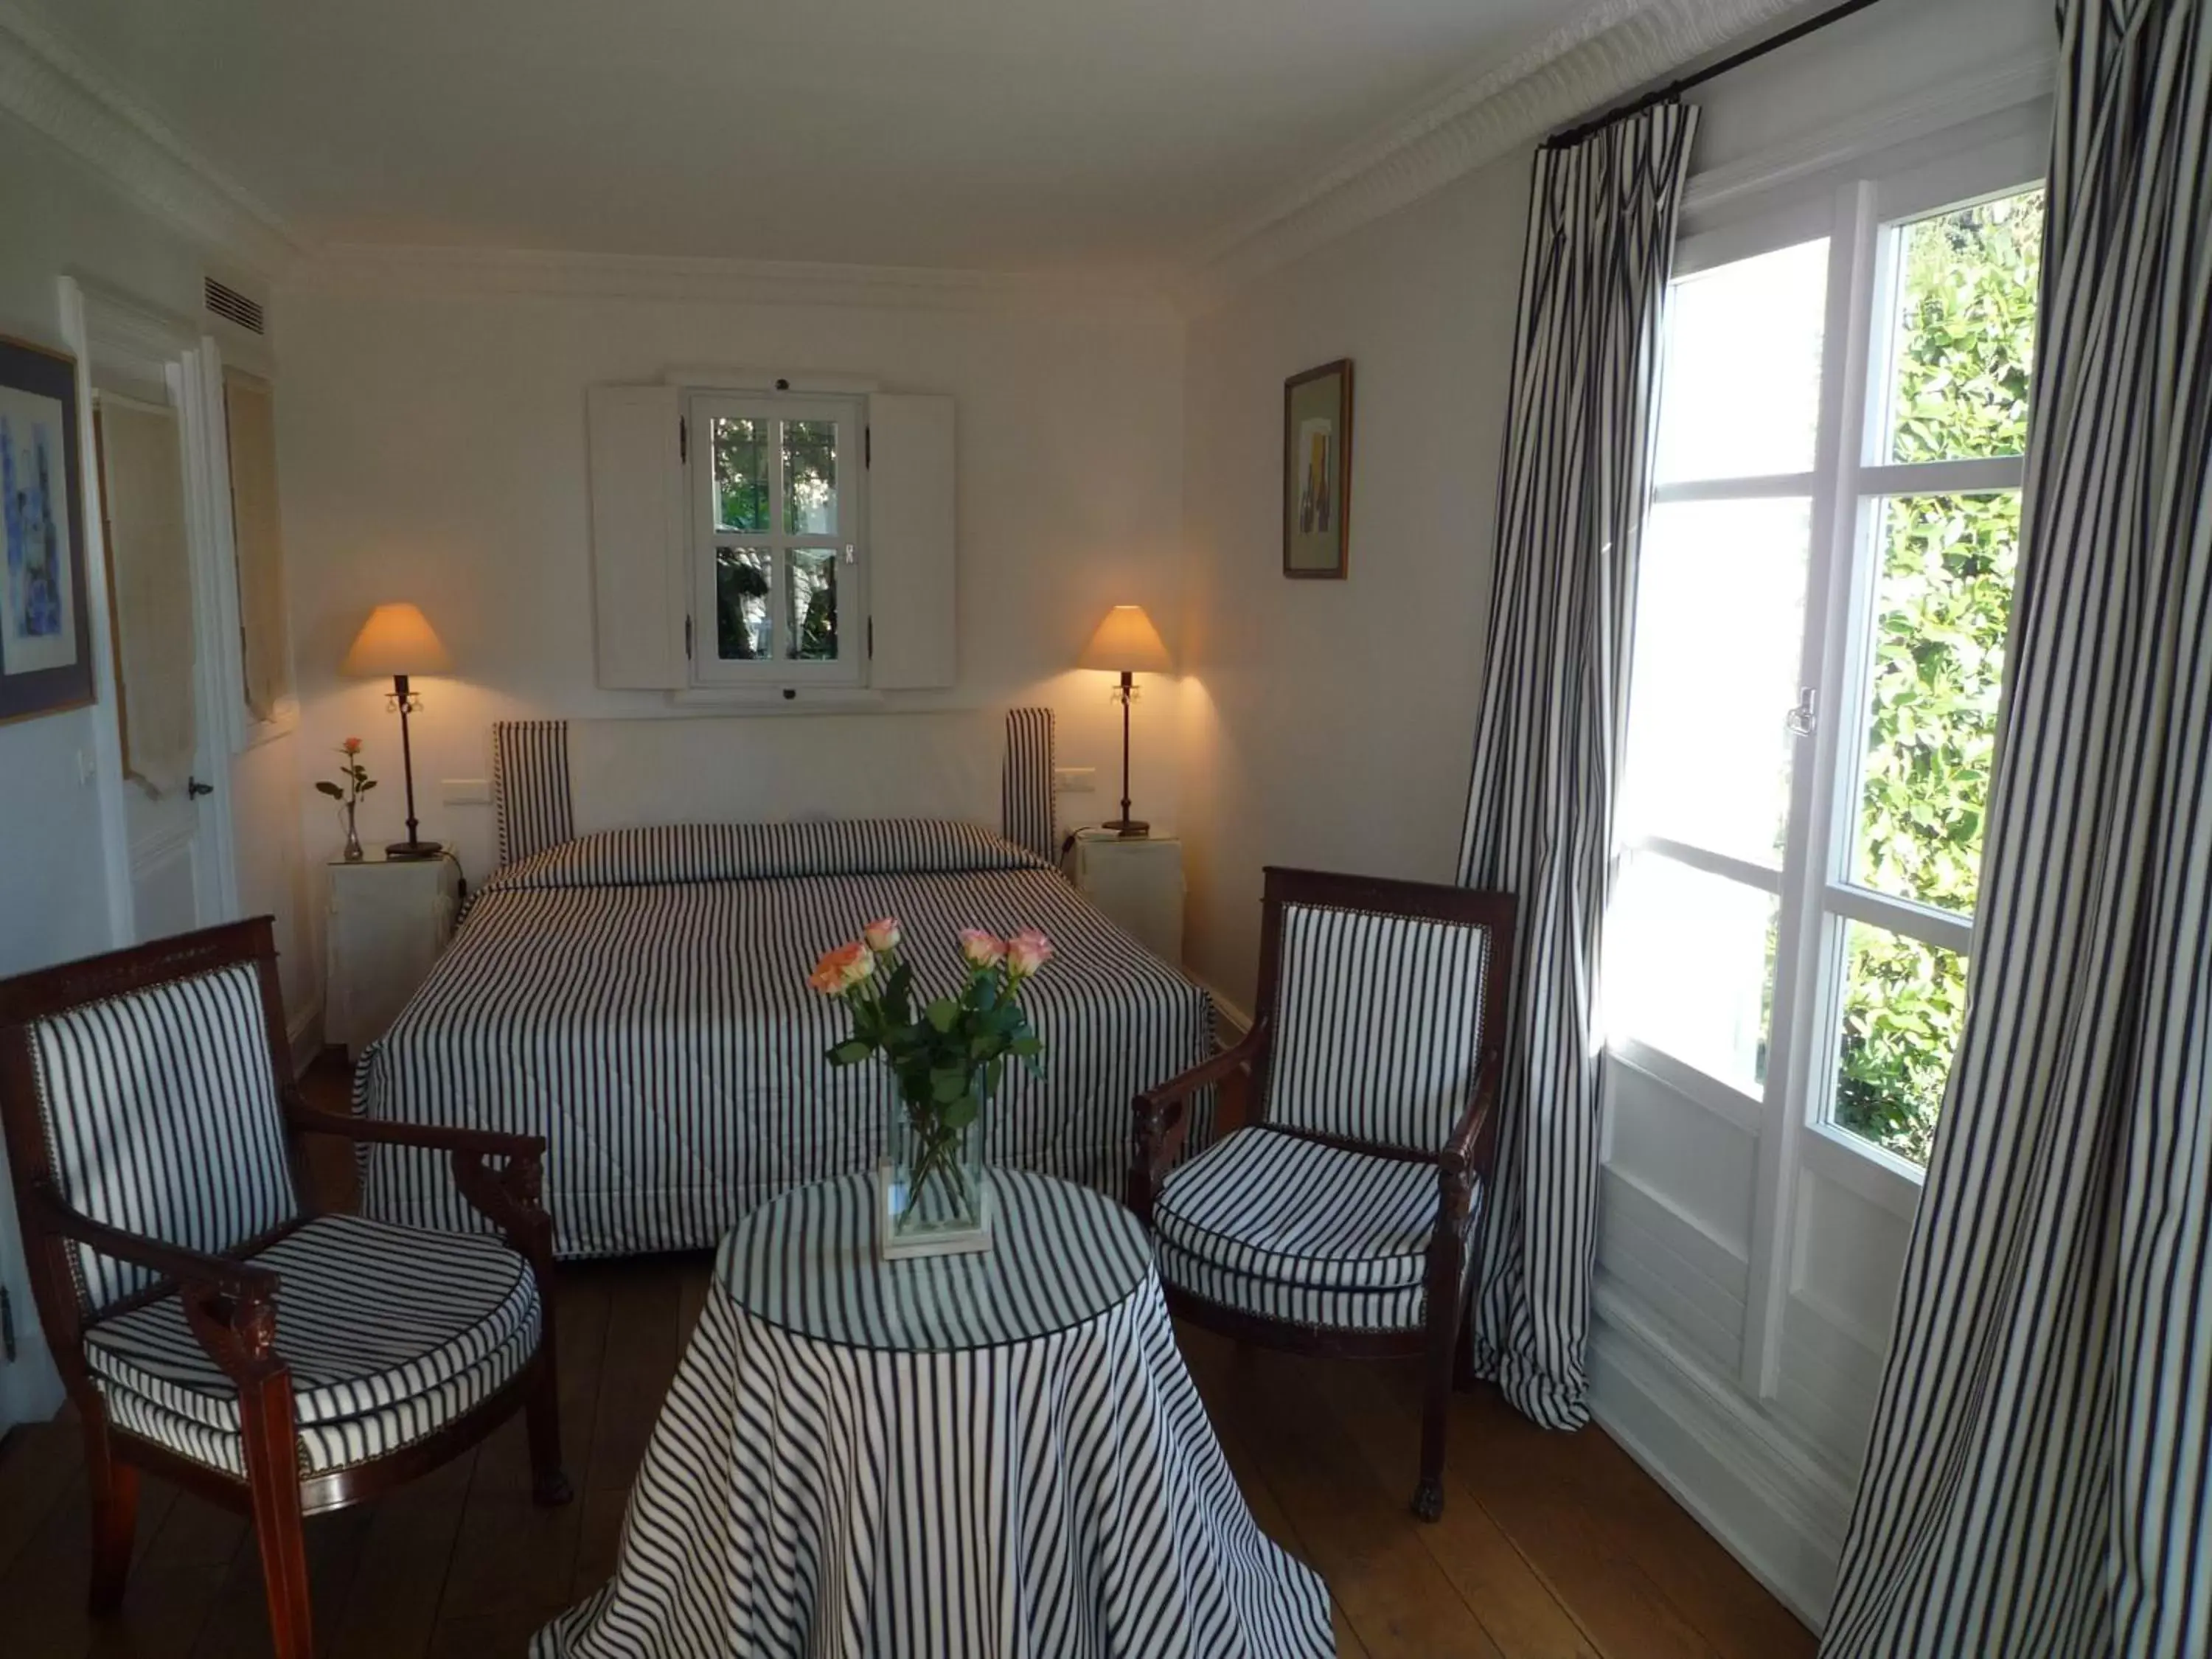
(1377, 1025)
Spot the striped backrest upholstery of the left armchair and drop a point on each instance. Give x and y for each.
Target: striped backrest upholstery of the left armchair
(147, 1098)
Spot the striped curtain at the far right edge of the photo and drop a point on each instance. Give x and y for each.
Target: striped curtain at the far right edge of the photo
(2038, 1479)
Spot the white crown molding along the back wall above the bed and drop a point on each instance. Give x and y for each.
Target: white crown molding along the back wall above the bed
(461, 273)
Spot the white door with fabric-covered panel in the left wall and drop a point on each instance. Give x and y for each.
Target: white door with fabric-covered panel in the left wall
(167, 744)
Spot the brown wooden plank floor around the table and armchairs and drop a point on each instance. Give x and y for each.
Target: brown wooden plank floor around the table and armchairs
(1550, 1547)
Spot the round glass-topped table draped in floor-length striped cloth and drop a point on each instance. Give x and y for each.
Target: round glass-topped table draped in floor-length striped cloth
(994, 1454)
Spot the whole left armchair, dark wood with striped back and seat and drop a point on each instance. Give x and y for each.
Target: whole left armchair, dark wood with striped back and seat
(209, 1322)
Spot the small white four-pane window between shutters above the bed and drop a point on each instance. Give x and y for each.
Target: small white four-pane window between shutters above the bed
(778, 539)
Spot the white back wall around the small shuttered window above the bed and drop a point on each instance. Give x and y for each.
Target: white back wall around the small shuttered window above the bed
(432, 448)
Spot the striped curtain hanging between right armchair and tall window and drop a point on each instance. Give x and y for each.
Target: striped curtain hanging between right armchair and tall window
(1554, 711)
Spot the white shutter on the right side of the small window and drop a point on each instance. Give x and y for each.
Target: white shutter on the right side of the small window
(912, 596)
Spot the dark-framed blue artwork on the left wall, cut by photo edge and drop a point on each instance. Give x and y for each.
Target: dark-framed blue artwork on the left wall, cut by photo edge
(45, 632)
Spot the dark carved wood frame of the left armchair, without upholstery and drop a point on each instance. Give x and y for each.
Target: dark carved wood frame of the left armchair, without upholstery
(231, 1304)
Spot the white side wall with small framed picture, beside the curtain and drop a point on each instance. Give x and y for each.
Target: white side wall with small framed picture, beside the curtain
(1333, 722)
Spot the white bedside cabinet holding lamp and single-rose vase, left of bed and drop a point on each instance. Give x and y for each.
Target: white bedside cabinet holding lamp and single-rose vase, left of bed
(388, 921)
